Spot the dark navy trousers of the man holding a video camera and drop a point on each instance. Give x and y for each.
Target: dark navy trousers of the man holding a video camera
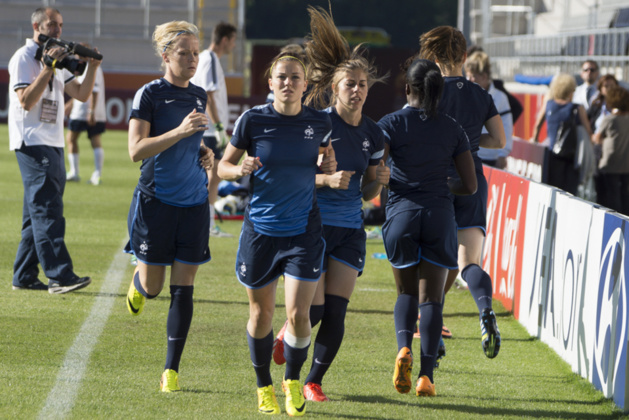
(43, 225)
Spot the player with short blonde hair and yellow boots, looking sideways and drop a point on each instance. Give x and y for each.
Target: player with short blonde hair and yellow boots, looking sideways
(169, 216)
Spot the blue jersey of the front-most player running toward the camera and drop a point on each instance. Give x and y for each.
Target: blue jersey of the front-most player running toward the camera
(282, 190)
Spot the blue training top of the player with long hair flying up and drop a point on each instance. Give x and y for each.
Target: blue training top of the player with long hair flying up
(355, 149)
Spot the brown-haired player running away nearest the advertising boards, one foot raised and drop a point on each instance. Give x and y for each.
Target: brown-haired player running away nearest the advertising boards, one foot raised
(473, 108)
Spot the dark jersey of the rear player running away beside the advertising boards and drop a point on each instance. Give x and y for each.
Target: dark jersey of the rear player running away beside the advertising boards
(471, 106)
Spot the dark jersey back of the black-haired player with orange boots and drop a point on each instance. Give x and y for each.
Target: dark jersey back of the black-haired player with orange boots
(421, 151)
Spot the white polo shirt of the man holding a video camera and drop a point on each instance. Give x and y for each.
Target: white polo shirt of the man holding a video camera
(43, 124)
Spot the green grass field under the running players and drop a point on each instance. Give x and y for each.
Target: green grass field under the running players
(82, 356)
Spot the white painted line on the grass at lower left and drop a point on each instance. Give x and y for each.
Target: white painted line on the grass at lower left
(61, 398)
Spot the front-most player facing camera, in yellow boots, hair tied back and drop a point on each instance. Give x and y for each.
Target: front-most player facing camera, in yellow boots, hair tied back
(281, 232)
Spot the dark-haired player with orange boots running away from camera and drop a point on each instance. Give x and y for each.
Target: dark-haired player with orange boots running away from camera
(420, 232)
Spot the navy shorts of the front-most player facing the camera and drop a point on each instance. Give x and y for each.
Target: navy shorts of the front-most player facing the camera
(261, 258)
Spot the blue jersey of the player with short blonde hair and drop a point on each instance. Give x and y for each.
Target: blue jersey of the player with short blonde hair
(174, 176)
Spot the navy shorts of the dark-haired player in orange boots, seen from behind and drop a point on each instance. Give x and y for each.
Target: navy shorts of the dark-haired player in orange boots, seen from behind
(428, 233)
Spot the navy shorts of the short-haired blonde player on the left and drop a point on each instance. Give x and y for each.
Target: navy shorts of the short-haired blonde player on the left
(161, 234)
